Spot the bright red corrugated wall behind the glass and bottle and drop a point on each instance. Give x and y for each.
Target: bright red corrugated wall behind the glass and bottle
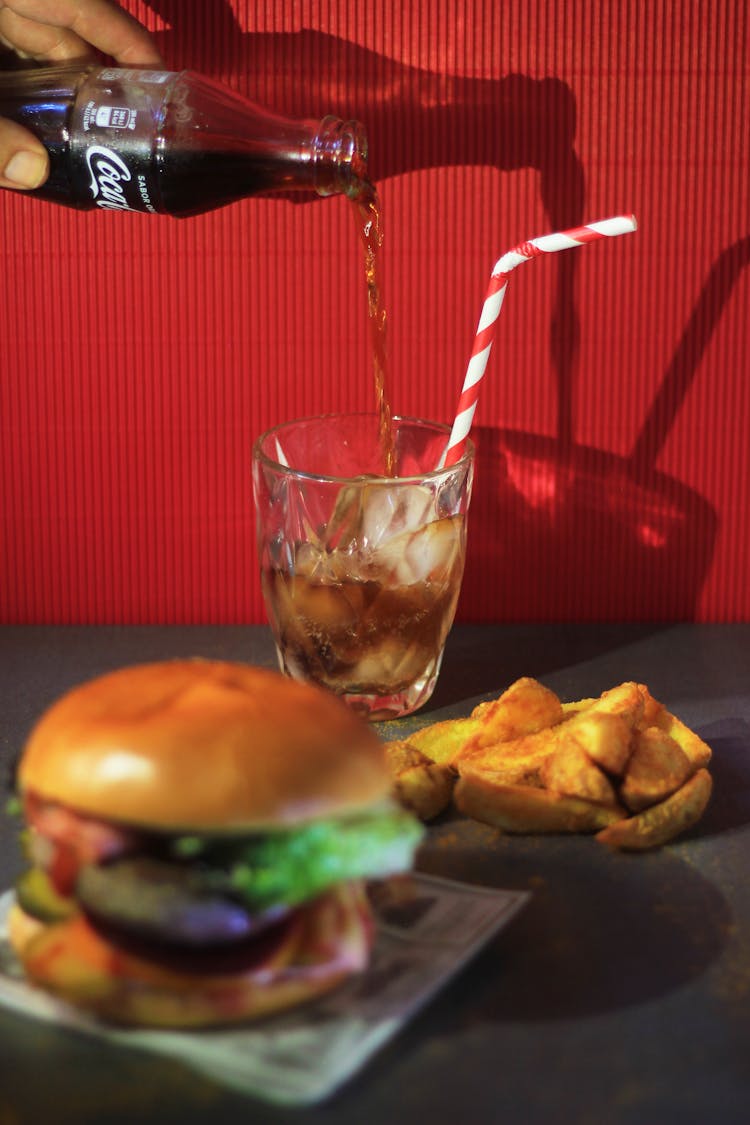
(141, 356)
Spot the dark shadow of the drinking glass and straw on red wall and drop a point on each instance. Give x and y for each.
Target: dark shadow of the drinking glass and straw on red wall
(570, 533)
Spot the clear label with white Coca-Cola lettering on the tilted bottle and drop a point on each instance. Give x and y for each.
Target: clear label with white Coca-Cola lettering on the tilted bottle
(113, 139)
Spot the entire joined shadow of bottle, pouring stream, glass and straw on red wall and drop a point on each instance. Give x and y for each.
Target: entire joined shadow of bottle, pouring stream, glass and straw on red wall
(575, 532)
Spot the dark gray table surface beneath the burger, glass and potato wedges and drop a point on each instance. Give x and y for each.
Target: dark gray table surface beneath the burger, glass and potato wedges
(620, 995)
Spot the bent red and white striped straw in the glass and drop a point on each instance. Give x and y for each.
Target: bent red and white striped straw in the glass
(499, 283)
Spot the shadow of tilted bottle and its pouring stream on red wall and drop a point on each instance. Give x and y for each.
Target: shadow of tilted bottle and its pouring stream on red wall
(414, 120)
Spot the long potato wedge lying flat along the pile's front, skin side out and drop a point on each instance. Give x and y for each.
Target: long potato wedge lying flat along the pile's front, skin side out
(525, 809)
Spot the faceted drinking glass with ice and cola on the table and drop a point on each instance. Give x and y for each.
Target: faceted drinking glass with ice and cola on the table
(362, 571)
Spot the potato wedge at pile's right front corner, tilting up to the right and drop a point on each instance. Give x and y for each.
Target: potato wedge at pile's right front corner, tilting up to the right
(664, 822)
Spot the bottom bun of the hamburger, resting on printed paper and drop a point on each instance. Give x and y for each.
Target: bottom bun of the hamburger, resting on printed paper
(322, 944)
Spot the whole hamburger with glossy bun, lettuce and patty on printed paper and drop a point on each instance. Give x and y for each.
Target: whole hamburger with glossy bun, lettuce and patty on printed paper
(200, 835)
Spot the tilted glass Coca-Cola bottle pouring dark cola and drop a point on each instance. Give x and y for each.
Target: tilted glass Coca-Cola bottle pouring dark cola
(173, 142)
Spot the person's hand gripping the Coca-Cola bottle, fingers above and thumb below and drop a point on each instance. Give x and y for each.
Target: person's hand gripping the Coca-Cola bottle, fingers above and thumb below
(58, 31)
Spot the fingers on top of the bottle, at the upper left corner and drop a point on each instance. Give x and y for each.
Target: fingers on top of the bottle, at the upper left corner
(59, 30)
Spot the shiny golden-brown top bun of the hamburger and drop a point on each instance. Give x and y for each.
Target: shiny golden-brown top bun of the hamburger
(204, 745)
